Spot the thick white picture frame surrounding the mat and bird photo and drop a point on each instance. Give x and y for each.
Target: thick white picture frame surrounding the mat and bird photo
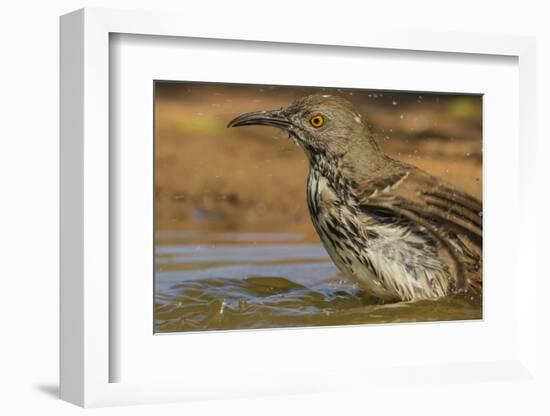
(87, 165)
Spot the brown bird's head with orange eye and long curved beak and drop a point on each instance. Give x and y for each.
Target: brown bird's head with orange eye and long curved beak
(323, 125)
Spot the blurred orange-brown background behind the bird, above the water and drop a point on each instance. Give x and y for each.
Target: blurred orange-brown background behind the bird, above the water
(210, 178)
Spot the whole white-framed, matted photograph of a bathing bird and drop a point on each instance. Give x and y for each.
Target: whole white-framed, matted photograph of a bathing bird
(233, 226)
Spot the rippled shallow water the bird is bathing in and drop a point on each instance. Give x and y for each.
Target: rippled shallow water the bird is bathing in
(255, 280)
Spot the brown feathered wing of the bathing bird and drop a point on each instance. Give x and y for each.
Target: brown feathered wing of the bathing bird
(451, 217)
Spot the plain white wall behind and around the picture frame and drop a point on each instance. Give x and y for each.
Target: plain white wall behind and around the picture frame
(29, 179)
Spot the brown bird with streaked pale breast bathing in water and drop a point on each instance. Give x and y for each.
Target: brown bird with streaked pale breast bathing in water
(401, 233)
